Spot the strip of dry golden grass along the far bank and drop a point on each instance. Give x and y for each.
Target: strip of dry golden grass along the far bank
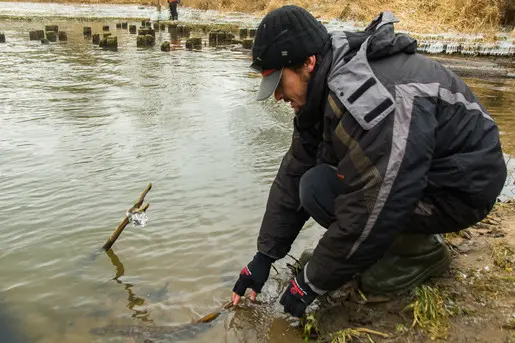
(422, 16)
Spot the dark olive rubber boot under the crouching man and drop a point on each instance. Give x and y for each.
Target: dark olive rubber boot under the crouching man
(411, 260)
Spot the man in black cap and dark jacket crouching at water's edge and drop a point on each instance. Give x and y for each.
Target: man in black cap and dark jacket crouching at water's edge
(389, 150)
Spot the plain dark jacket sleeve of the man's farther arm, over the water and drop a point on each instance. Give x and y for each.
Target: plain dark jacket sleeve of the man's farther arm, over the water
(284, 216)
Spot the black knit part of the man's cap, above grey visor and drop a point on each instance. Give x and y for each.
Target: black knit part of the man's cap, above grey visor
(287, 36)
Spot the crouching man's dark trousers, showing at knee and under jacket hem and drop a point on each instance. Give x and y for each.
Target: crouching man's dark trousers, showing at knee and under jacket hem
(437, 212)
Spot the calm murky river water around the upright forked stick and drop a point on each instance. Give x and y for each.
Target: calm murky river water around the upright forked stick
(82, 133)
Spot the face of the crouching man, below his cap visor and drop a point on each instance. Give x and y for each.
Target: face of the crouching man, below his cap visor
(293, 86)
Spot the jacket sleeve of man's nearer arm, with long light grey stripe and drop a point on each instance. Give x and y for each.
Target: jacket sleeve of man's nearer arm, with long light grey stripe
(383, 174)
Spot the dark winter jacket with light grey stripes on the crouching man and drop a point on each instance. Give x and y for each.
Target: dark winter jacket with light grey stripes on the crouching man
(395, 124)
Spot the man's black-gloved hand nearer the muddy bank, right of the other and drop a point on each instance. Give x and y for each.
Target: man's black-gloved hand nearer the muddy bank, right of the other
(297, 296)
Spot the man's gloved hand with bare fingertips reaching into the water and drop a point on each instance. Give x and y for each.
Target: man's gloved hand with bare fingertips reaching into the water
(254, 276)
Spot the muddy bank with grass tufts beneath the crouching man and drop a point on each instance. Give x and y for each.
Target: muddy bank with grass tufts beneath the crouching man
(473, 302)
